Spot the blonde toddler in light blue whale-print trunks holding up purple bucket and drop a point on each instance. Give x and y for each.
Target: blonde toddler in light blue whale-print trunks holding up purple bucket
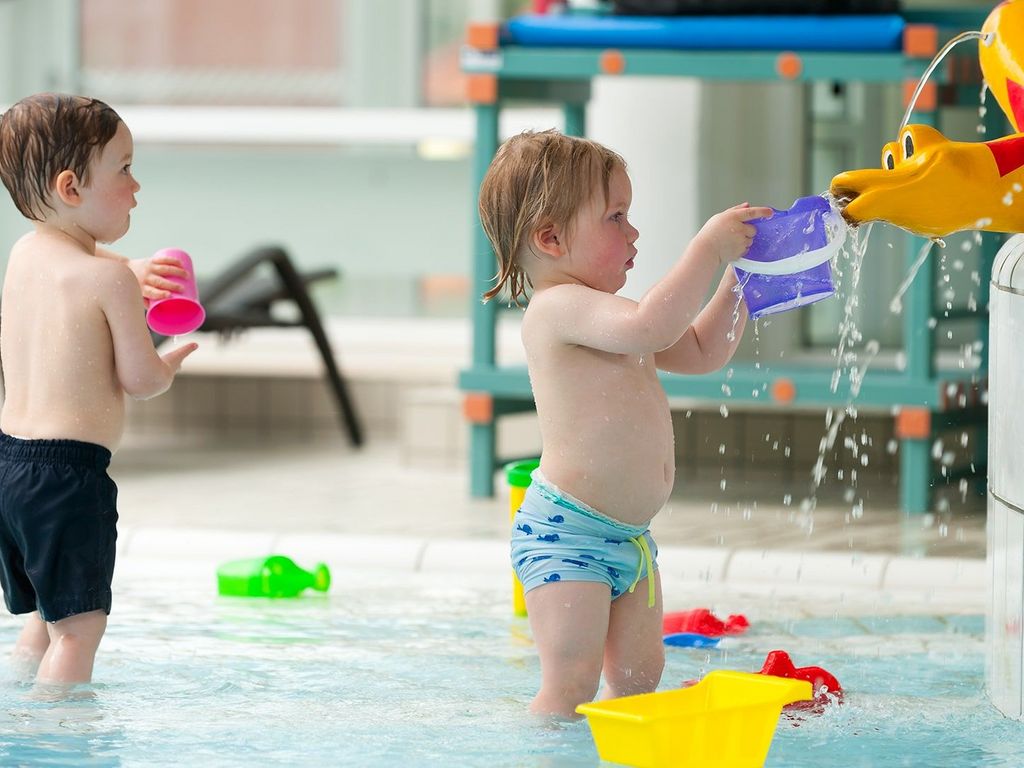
(557, 211)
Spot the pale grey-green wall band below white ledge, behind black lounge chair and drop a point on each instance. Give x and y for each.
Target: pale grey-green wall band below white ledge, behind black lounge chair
(386, 214)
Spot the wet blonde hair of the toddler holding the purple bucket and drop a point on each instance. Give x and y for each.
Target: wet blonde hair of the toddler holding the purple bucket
(538, 180)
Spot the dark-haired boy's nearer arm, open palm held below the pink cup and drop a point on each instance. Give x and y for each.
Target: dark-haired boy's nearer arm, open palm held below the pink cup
(142, 372)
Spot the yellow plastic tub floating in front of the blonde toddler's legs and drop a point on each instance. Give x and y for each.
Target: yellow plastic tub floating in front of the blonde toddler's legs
(726, 721)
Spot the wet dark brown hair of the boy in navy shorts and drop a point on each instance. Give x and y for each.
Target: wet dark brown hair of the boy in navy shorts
(46, 135)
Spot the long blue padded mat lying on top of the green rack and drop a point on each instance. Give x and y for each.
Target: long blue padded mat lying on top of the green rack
(872, 33)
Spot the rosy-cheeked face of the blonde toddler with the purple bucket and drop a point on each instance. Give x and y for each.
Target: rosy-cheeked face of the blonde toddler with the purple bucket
(602, 247)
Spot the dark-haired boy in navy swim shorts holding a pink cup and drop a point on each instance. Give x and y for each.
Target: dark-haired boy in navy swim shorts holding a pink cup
(73, 342)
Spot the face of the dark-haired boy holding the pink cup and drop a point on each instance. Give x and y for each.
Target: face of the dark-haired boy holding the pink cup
(110, 196)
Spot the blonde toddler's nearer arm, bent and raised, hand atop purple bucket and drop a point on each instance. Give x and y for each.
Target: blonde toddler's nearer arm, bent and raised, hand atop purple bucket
(578, 315)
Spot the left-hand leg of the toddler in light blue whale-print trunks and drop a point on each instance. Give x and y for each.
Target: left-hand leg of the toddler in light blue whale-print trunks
(570, 621)
